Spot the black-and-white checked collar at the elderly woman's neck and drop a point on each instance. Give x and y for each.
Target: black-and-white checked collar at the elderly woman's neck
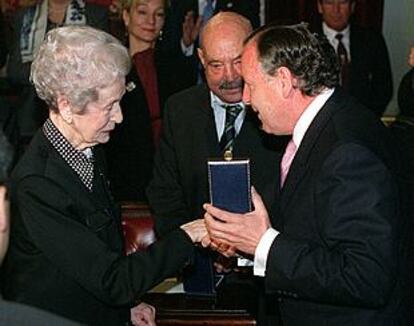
(80, 161)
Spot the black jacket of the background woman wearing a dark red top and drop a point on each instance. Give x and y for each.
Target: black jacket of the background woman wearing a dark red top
(130, 151)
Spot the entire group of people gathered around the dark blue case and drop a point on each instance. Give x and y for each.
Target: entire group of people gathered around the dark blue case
(99, 120)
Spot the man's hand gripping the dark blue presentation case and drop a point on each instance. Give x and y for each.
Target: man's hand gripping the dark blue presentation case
(239, 231)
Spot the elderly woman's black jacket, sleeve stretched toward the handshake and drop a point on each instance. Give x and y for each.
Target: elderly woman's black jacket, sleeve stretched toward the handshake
(66, 251)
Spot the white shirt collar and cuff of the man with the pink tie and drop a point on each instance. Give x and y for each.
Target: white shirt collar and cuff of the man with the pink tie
(305, 120)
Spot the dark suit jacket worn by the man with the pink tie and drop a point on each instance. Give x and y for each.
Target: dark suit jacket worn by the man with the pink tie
(336, 260)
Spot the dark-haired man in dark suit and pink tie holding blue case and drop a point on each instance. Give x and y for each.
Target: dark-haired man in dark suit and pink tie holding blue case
(330, 250)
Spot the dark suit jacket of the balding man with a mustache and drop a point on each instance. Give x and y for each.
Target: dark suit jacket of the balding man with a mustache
(180, 185)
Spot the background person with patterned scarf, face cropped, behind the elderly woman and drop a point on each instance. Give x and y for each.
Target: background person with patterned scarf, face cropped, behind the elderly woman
(30, 25)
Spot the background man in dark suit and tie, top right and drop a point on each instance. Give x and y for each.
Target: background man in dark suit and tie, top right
(367, 71)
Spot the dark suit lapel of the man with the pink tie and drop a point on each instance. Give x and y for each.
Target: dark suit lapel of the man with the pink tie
(300, 163)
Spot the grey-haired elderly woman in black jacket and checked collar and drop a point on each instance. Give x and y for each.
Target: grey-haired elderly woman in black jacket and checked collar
(66, 251)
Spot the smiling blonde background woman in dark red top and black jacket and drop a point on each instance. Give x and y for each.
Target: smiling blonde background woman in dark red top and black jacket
(156, 74)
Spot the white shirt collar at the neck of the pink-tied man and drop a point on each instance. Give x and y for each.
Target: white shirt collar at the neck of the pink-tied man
(309, 115)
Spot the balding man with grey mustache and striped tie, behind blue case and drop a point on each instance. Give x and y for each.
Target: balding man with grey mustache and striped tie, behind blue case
(193, 128)
